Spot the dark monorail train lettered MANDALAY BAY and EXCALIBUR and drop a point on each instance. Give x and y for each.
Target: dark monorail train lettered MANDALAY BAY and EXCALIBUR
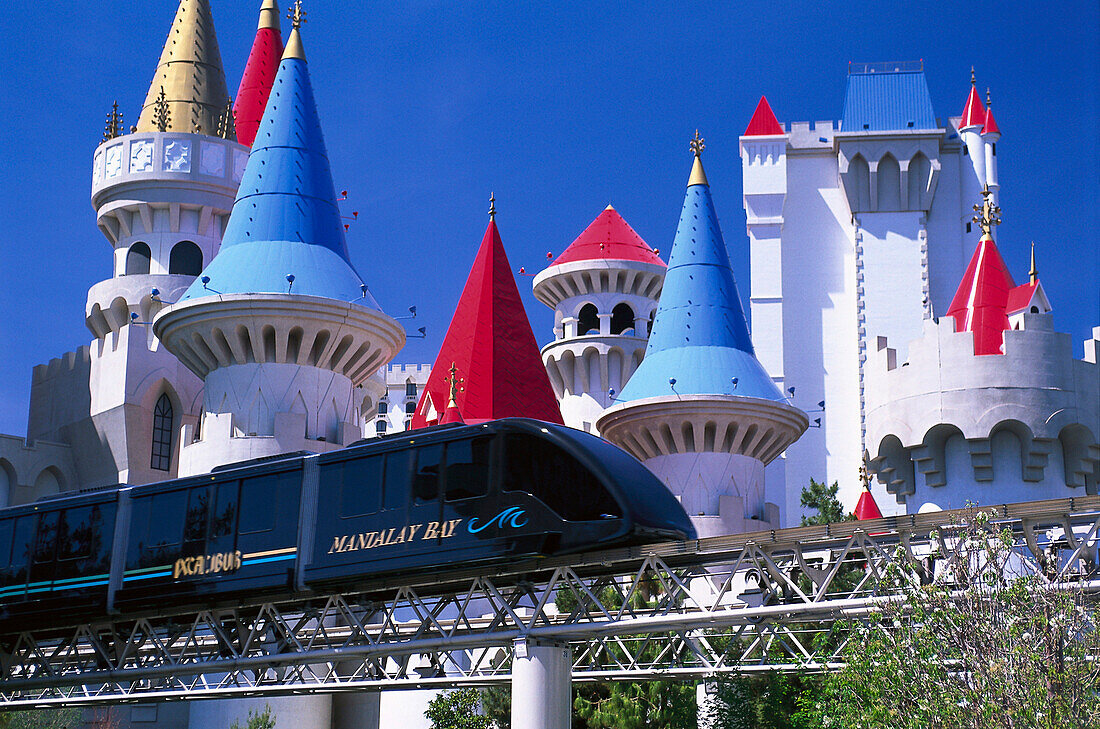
(421, 502)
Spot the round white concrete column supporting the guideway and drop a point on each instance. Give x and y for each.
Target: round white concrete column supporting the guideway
(542, 687)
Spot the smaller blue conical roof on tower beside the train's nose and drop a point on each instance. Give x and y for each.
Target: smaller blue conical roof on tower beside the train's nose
(700, 338)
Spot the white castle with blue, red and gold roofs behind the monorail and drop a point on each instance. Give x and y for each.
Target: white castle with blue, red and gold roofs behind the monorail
(947, 378)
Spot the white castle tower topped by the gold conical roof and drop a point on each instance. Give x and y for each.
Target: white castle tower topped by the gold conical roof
(162, 197)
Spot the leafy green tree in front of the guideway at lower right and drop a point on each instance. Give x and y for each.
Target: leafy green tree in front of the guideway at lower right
(988, 646)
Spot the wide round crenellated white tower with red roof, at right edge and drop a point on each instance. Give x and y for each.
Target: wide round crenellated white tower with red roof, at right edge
(993, 407)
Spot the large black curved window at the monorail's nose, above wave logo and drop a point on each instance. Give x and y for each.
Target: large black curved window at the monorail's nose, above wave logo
(556, 479)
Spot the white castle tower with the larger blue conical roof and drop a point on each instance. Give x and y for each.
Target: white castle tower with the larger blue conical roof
(280, 326)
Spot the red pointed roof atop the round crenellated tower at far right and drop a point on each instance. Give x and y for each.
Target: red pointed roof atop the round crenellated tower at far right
(983, 297)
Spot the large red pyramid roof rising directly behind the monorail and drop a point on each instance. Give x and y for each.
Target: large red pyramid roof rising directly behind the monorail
(492, 346)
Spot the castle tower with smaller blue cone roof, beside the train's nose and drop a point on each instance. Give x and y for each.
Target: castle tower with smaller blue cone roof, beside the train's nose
(701, 412)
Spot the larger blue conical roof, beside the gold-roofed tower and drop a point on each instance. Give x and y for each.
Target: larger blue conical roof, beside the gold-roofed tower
(285, 220)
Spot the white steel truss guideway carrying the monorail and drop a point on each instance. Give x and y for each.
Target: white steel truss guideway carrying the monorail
(758, 602)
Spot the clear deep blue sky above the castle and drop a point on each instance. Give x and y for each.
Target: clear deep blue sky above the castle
(428, 106)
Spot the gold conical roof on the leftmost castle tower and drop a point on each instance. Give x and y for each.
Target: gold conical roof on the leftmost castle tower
(191, 75)
